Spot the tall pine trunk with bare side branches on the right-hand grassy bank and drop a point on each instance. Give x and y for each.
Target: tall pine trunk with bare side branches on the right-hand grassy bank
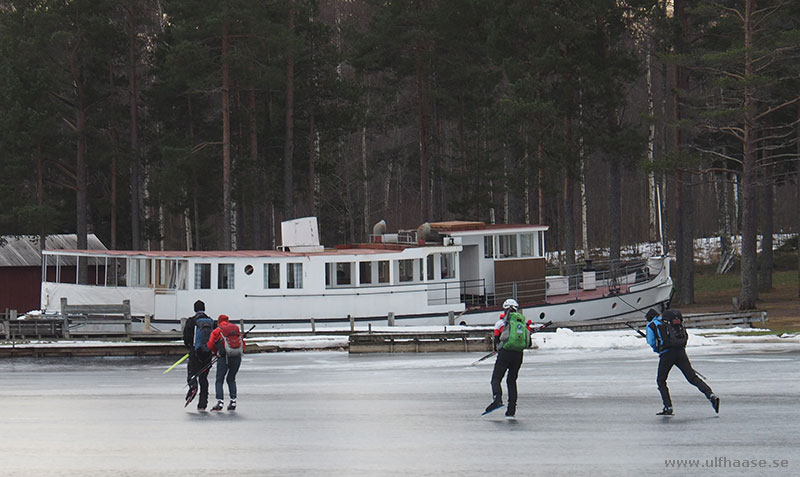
(749, 292)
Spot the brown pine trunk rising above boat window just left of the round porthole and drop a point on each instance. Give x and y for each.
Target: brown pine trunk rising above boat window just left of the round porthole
(227, 215)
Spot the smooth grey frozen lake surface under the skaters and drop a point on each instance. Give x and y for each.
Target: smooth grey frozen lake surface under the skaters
(581, 412)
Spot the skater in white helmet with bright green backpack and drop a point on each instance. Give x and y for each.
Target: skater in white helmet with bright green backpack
(511, 336)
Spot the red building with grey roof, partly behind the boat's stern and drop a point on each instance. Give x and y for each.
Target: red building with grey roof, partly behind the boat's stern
(21, 268)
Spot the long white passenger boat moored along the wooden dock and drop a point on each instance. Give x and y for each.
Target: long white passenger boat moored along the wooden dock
(454, 273)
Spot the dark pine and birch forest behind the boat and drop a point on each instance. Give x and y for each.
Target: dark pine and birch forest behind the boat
(188, 124)
